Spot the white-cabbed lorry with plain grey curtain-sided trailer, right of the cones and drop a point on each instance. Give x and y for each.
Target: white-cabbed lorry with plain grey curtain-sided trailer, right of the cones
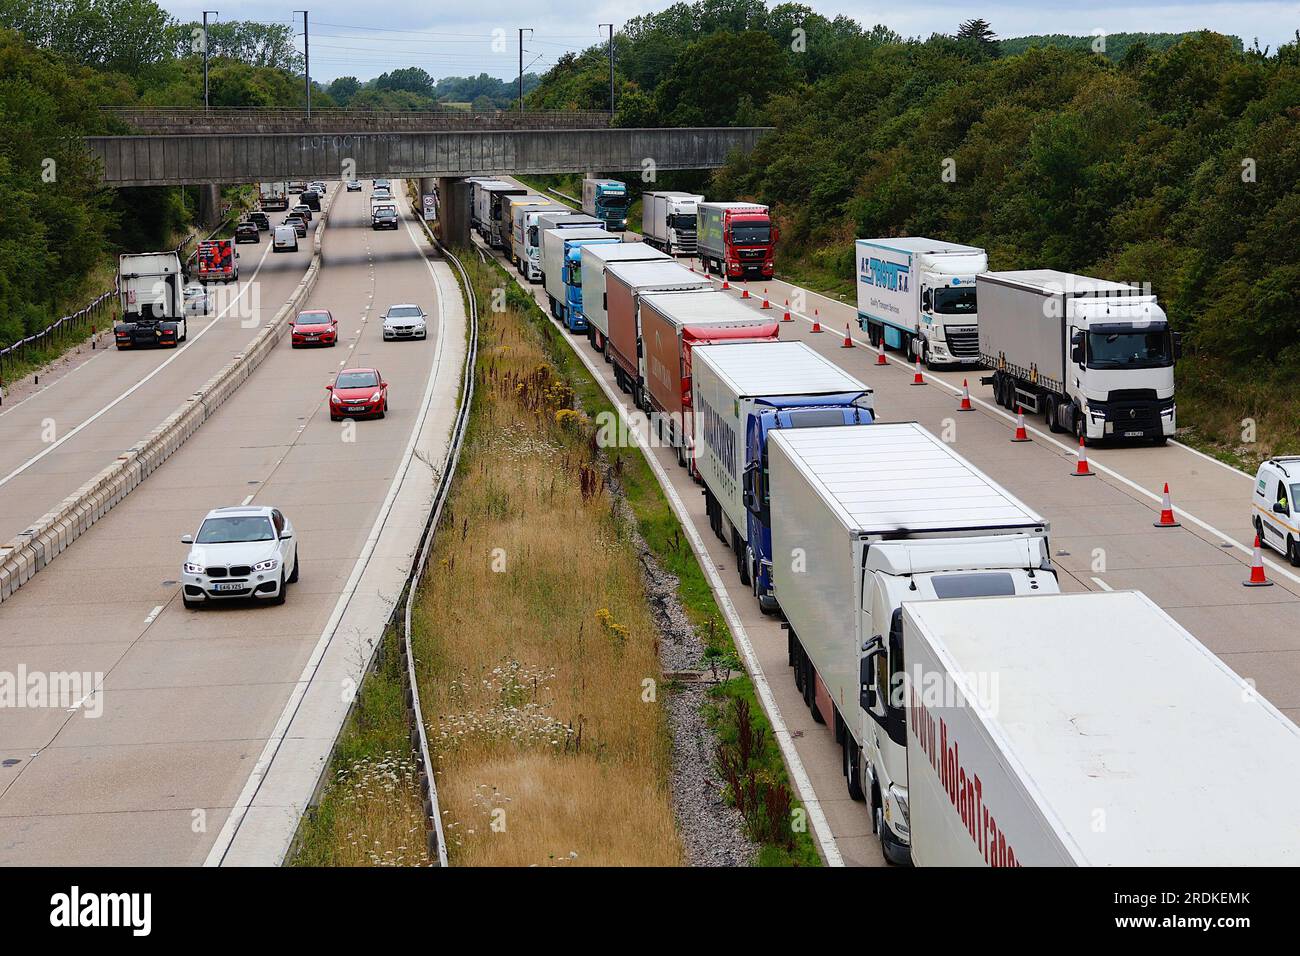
(1093, 357)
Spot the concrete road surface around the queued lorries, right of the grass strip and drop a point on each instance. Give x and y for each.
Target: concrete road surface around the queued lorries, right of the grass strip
(1102, 538)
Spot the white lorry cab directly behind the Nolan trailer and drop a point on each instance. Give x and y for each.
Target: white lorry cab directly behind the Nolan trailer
(918, 570)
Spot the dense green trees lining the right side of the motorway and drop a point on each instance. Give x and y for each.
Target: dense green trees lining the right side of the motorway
(1176, 162)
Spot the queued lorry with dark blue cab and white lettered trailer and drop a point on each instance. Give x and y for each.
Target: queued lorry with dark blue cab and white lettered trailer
(742, 395)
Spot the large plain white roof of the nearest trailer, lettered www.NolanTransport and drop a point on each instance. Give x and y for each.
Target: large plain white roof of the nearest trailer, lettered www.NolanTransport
(1106, 704)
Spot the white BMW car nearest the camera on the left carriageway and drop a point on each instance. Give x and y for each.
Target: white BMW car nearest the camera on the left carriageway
(240, 552)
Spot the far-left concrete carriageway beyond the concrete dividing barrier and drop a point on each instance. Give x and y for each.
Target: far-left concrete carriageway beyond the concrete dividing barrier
(62, 436)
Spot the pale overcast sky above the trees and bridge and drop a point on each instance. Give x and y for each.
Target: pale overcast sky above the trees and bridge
(365, 41)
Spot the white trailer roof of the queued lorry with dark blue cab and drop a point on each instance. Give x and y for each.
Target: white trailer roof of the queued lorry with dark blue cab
(775, 369)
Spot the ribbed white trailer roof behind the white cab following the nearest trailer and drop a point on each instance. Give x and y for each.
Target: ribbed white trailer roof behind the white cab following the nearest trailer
(894, 478)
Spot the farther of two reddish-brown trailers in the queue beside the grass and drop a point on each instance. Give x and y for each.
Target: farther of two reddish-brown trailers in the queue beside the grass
(625, 284)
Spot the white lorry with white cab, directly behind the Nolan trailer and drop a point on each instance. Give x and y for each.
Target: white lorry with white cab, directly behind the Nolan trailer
(865, 520)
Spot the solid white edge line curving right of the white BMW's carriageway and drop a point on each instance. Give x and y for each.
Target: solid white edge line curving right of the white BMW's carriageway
(268, 754)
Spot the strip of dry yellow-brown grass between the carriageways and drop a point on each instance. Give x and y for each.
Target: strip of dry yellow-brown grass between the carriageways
(535, 642)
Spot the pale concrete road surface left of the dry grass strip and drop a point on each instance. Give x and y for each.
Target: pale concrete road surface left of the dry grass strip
(189, 719)
